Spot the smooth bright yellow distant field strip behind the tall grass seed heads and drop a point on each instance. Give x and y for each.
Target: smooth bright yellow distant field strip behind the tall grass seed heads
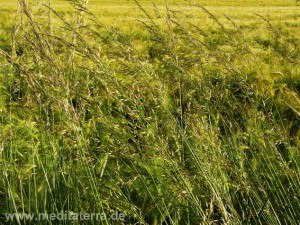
(124, 13)
